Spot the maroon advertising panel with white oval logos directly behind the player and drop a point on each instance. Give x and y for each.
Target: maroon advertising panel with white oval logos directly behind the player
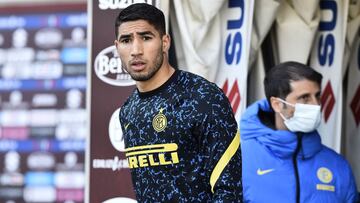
(109, 175)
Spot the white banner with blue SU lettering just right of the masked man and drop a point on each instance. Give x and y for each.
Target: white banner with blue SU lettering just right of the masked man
(327, 58)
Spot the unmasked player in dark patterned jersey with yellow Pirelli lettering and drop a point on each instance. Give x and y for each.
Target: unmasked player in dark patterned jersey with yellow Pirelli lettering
(180, 134)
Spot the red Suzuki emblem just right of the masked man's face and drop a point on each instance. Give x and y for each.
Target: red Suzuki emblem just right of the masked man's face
(327, 101)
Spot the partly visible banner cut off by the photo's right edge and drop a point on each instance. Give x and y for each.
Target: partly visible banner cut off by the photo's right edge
(353, 112)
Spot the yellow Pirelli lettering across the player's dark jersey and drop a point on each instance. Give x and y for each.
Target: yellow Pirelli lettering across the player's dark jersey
(152, 155)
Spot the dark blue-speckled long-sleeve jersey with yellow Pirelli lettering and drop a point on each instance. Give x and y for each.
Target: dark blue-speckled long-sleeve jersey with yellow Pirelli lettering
(182, 142)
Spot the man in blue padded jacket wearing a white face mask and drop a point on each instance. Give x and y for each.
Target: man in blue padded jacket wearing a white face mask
(283, 158)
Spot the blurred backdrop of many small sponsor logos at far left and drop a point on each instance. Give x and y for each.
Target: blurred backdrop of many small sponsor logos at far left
(42, 103)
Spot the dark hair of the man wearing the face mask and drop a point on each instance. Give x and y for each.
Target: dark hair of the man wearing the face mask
(277, 80)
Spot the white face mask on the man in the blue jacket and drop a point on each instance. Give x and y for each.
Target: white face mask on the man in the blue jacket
(306, 118)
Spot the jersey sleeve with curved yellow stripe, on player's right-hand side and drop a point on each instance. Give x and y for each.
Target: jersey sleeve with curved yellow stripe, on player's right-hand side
(221, 144)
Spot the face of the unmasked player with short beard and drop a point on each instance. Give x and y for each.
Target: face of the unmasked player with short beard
(141, 49)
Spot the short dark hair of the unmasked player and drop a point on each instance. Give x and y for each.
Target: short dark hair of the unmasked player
(142, 11)
